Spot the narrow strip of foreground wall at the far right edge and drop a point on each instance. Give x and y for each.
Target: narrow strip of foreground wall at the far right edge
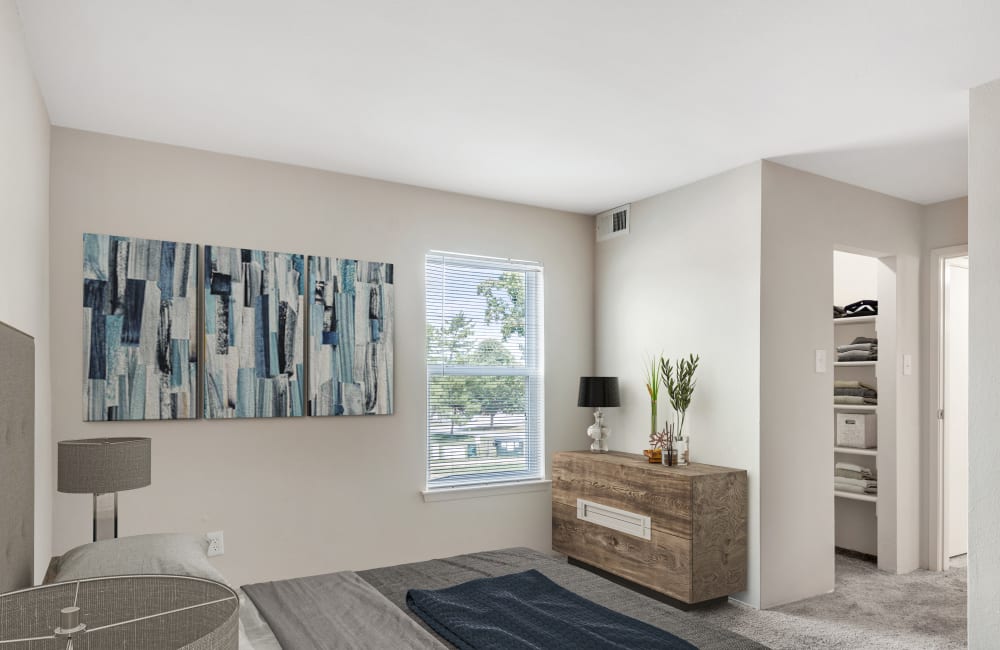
(984, 355)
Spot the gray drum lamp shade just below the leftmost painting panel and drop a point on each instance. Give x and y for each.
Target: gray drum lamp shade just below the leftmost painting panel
(103, 465)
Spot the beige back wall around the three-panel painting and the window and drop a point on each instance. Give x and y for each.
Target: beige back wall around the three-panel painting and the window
(309, 495)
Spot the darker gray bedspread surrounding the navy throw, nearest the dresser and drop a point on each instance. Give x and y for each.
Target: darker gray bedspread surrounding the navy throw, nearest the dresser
(394, 582)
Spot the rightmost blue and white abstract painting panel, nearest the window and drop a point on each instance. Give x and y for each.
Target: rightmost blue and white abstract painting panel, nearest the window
(350, 337)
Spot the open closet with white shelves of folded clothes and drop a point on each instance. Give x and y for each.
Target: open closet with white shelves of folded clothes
(863, 406)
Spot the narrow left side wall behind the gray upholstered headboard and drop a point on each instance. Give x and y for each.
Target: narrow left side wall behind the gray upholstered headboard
(24, 229)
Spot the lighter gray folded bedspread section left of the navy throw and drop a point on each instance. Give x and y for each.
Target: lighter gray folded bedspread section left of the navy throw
(336, 610)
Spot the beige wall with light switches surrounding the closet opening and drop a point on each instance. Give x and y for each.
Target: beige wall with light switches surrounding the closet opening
(805, 217)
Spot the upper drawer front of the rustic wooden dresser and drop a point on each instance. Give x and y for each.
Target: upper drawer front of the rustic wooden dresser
(666, 500)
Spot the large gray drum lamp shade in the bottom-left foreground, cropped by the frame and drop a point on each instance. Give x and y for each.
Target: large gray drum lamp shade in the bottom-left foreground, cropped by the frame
(151, 612)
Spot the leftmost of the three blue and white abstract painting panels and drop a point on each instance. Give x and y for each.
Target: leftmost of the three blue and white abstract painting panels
(140, 353)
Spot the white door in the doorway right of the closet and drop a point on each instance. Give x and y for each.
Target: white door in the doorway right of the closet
(956, 405)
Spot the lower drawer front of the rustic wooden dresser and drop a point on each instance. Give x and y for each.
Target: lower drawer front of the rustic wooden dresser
(662, 563)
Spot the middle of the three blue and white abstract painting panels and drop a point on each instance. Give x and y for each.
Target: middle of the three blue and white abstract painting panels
(254, 333)
